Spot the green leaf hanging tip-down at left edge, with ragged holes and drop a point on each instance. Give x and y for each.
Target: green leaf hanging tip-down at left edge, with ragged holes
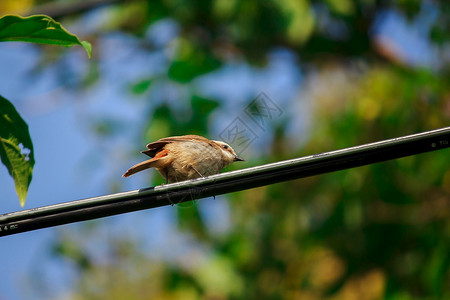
(16, 148)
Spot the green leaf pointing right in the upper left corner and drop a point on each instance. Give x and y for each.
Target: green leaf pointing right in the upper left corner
(38, 29)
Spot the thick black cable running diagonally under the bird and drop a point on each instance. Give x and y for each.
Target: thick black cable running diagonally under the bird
(174, 193)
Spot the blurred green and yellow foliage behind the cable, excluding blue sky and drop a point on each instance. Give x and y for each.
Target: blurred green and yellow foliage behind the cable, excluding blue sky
(375, 232)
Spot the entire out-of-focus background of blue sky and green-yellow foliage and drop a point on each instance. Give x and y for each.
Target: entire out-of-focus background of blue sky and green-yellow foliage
(340, 72)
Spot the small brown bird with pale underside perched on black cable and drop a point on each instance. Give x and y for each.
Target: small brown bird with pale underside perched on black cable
(186, 157)
